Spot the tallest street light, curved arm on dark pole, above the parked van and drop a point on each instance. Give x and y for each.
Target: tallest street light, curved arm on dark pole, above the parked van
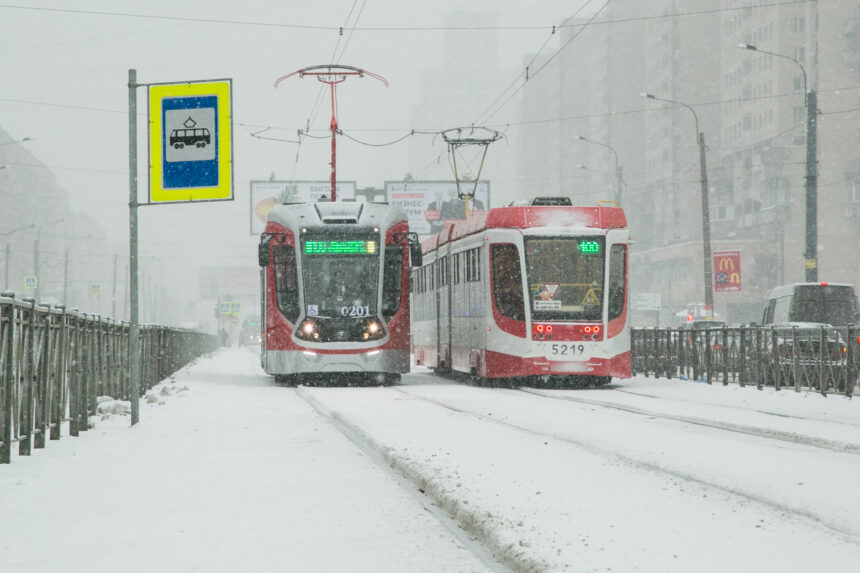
(811, 99)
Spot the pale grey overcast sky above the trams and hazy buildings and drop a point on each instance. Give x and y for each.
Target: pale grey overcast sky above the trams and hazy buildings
(64, 68)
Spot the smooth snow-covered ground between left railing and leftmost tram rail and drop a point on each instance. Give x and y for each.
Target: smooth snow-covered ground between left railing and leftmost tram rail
(225, 472)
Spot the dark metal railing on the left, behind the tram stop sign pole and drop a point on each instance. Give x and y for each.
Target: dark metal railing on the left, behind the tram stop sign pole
(54, 363)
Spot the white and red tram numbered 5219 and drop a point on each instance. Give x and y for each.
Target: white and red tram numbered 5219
(526, 291)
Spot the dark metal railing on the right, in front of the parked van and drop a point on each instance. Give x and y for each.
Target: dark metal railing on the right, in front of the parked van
(823, 359)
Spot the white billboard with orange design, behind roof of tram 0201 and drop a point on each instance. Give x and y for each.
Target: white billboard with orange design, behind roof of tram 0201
(267, 194)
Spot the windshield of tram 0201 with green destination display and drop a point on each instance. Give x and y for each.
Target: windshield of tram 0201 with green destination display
(340, 276)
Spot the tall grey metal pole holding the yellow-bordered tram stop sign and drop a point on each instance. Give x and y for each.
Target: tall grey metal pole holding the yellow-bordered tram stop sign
(133, 331)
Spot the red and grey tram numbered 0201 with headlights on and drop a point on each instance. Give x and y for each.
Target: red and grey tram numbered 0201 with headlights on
(335, 291)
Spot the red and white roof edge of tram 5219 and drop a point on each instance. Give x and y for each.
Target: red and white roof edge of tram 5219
(528, 217)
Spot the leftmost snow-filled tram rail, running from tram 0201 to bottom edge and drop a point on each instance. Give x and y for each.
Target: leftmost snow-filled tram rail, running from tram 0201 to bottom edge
(473, 533)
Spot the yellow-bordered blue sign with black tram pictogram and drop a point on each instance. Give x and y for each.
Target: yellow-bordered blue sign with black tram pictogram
(190, 142)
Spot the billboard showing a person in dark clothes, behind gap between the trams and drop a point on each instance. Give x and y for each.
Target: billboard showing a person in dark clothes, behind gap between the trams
(430, 204)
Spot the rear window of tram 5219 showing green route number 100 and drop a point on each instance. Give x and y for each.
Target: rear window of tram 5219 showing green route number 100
(565, 277)
